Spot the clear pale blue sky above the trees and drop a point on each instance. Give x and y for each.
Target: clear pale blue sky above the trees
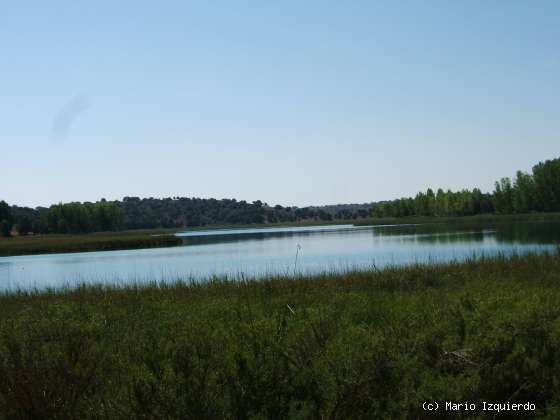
(292, 102)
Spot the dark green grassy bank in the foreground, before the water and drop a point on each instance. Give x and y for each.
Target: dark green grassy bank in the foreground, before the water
(360, 345)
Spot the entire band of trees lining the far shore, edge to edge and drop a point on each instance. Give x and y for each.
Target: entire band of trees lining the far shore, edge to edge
(538, 191)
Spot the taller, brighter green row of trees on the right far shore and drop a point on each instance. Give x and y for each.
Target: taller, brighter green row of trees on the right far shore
(538, 191)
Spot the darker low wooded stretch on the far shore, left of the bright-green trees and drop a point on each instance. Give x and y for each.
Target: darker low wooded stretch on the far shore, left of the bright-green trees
(149, 213)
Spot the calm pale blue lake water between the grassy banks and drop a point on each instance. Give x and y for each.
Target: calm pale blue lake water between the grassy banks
(258, 252)
